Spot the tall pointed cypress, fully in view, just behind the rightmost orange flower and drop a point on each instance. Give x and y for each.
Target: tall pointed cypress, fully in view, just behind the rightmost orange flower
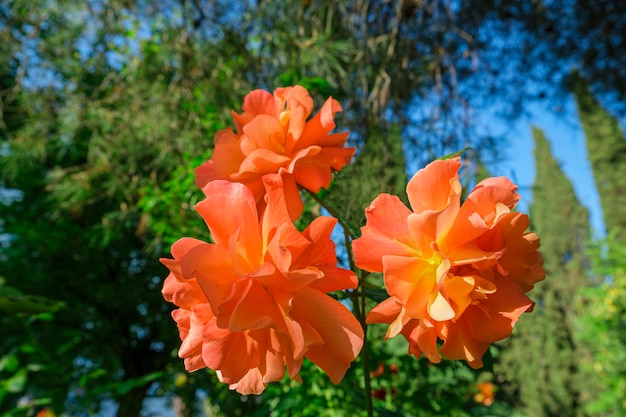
(542, 359)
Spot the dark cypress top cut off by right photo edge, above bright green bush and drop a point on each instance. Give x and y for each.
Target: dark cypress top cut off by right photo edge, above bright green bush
(606, 147)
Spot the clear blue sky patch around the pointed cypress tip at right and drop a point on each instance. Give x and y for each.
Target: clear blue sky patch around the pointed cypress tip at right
(567, 142)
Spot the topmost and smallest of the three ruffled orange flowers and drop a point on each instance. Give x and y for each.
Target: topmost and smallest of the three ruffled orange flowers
(274, 136)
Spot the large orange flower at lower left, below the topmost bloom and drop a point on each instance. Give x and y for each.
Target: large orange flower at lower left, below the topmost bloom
(255, 301)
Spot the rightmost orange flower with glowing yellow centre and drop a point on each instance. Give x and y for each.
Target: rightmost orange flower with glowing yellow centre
(454, 272)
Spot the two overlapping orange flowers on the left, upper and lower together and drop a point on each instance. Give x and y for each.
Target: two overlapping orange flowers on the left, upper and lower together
(255, 301)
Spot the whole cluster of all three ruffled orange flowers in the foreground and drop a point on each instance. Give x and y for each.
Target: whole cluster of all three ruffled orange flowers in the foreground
(254, 302)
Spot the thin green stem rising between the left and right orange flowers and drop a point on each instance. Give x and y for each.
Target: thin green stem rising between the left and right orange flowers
(358, 299)
